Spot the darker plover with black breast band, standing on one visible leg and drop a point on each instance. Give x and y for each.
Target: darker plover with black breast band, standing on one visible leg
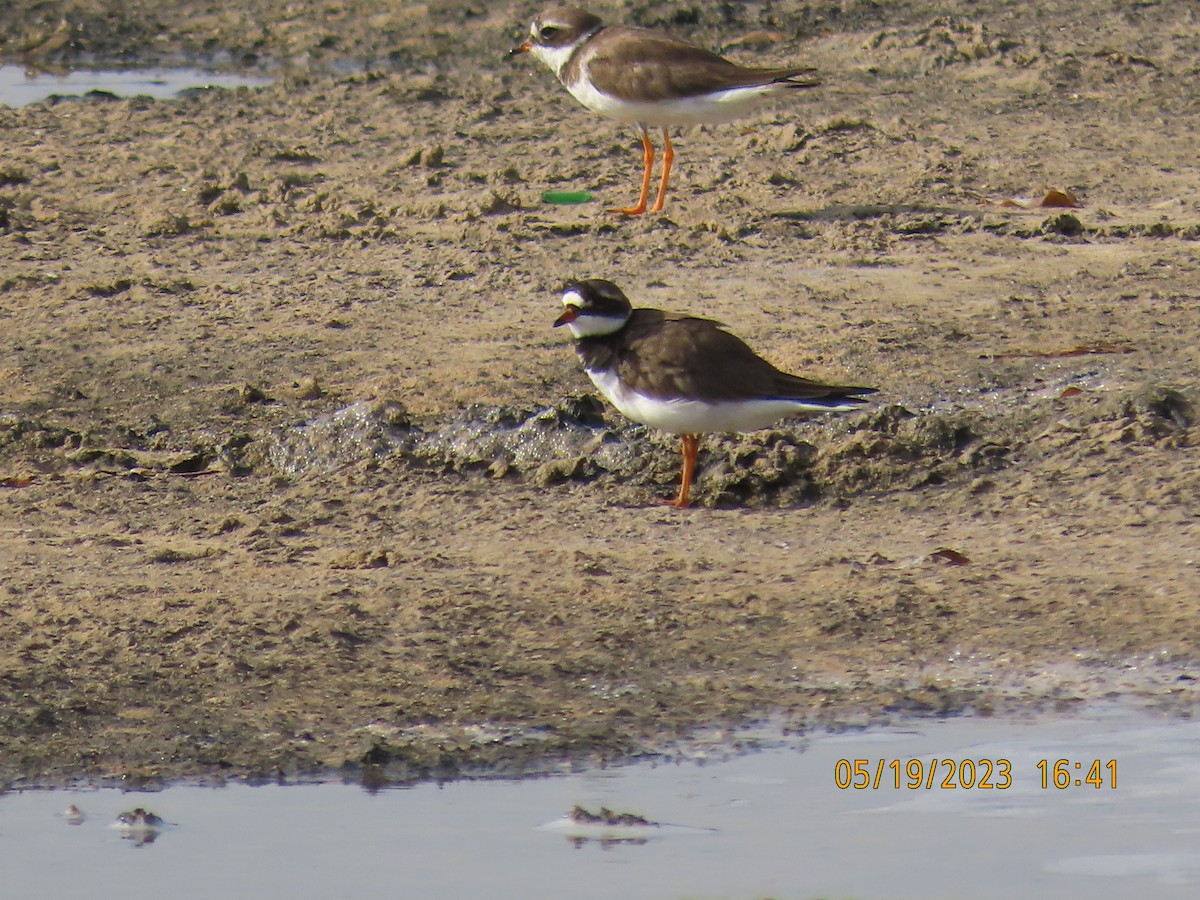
(685, 375)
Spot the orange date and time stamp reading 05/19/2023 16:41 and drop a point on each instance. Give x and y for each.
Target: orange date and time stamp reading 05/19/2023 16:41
(969, 775)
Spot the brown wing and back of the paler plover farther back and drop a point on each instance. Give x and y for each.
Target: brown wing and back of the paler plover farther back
(656, 68)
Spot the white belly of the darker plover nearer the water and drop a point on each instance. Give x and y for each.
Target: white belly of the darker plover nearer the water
(697, 417)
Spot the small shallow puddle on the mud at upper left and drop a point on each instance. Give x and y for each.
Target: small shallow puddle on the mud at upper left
(20, 88)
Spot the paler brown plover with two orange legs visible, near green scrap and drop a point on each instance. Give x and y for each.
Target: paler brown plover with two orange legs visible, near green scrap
(647, 79)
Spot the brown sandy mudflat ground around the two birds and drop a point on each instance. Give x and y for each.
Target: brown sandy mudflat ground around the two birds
(296, 477)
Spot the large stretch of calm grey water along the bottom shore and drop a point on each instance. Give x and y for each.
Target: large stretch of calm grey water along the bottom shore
(770, 824)
